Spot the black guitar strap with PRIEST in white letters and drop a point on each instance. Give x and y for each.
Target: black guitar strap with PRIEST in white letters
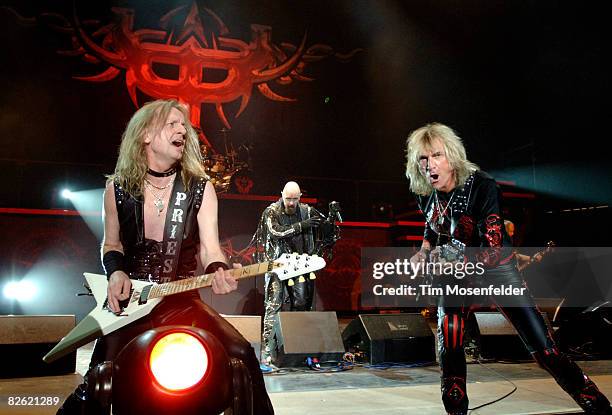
(173, 230)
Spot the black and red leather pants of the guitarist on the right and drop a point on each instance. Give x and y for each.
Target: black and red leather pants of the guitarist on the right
(522, 312)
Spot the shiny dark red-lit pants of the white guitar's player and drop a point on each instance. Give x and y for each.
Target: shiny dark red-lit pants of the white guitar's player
(182, 309)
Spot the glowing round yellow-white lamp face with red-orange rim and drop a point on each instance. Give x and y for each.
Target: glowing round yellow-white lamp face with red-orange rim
(178, 361)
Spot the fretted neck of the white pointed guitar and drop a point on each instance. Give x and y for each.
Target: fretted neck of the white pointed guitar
(205, 280)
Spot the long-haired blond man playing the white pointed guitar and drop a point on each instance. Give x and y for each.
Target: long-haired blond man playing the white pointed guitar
(160, 165)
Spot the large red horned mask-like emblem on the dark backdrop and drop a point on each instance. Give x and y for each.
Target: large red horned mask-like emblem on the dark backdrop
(176, 59)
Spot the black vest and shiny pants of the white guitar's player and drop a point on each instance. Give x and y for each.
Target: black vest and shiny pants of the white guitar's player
(144, 261)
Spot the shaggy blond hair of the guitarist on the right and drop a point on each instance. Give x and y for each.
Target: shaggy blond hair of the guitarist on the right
(421, 140)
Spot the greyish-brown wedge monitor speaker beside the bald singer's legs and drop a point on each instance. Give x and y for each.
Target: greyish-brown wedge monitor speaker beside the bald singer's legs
(302, 334)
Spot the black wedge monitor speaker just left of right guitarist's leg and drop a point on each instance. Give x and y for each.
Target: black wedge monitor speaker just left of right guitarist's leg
(396, 338)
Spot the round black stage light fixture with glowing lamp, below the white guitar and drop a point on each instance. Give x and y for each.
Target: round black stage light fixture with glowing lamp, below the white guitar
(175, 369)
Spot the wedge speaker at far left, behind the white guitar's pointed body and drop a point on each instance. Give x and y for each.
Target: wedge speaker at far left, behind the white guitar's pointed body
(26, 339)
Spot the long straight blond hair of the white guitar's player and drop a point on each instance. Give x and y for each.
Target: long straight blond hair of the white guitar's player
(131, 167)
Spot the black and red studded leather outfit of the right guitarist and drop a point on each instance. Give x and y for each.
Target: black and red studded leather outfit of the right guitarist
(471, 214)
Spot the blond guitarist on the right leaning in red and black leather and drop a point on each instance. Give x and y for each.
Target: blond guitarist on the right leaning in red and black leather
(462, 208)
